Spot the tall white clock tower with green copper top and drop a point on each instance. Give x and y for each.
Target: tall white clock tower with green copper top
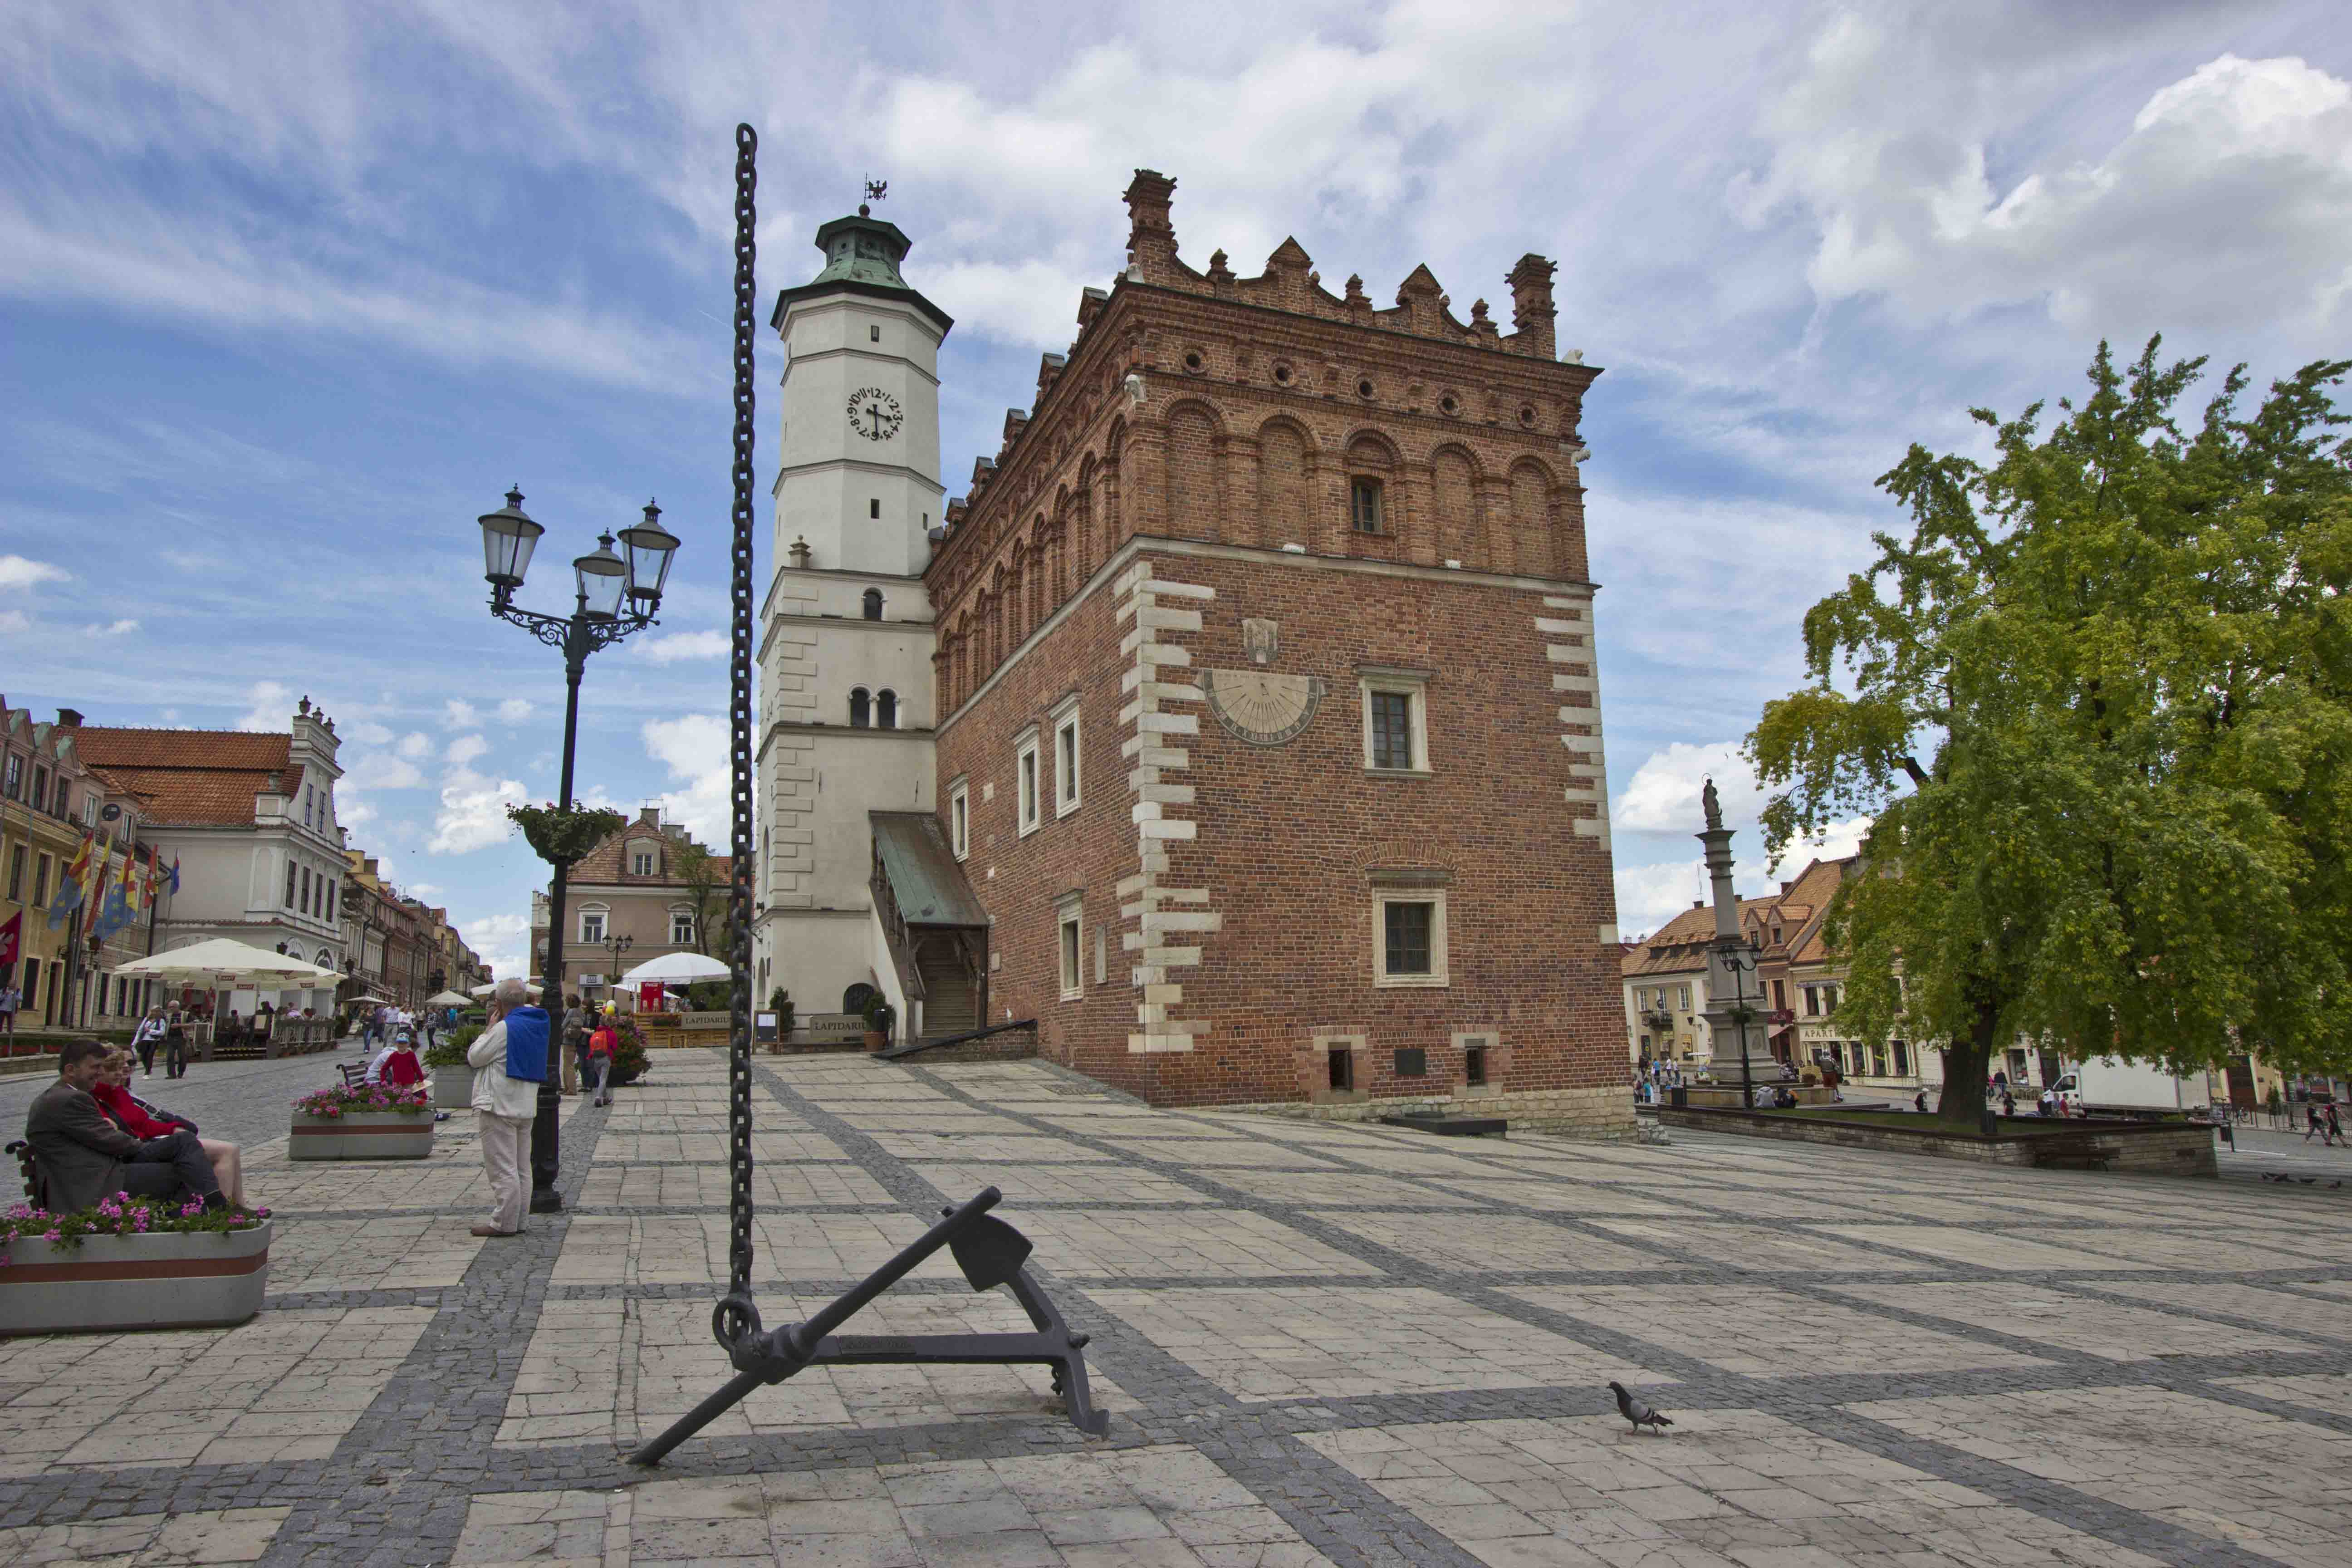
(846, 657)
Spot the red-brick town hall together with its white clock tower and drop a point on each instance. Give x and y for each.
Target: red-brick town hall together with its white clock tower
(1241, 725)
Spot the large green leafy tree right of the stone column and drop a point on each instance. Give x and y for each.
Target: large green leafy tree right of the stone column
(2097, 704)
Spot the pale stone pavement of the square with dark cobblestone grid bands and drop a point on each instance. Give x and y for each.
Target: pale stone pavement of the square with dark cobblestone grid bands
(1316, 1343)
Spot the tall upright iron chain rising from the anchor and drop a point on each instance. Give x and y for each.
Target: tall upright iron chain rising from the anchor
(737, 1320)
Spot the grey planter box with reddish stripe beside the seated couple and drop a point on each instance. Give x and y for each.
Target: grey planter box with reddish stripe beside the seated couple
(135, 1282)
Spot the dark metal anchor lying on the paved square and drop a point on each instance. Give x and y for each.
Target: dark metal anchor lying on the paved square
(987, 1249)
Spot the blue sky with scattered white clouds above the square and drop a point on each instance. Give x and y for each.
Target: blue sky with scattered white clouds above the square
(293, 293)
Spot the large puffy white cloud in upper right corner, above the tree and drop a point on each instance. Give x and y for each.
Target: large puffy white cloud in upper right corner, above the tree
(1897, 140)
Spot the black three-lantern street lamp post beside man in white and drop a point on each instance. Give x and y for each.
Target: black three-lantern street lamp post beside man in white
(615, 598)
